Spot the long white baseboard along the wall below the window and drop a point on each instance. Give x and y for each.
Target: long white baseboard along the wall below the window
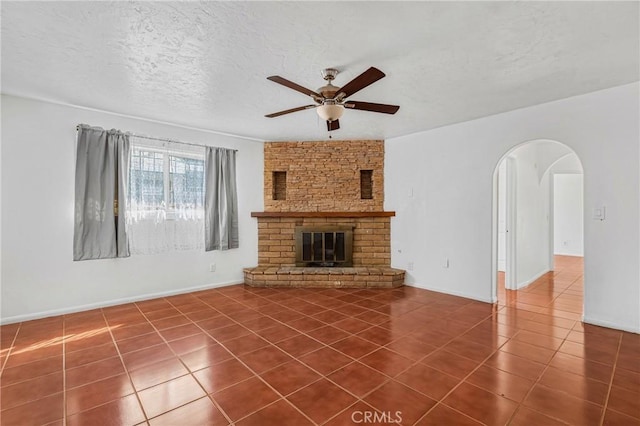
(113, 302)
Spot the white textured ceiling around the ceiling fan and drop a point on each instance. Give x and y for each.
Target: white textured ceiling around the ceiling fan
(204, 64)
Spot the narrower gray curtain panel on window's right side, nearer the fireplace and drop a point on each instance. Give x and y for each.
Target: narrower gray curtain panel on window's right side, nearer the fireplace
(220, 200)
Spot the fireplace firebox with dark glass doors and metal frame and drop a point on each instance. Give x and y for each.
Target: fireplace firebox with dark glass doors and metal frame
(324, 246)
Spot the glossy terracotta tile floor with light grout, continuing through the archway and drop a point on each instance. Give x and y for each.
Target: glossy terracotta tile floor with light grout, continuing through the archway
(245, 356)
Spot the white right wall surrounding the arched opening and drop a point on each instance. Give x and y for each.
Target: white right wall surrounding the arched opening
(449, 212)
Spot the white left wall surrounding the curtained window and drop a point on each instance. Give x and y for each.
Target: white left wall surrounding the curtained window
(39, 277)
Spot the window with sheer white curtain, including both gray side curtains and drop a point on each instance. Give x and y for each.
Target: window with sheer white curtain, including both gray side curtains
(149, 197)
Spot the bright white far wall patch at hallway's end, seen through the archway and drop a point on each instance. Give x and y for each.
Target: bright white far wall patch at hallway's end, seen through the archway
(568, 214)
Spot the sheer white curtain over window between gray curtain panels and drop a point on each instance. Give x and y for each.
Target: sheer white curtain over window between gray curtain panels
(166, 197)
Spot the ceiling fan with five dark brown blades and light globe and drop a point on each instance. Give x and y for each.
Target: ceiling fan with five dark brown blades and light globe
(330, 101)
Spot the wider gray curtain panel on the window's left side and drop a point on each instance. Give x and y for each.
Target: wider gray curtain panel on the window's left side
(102, 166)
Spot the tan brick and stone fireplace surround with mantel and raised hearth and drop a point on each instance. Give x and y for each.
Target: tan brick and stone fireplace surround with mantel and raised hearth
(309, 184)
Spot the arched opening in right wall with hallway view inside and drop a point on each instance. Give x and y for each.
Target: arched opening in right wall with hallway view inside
(538, 229)
